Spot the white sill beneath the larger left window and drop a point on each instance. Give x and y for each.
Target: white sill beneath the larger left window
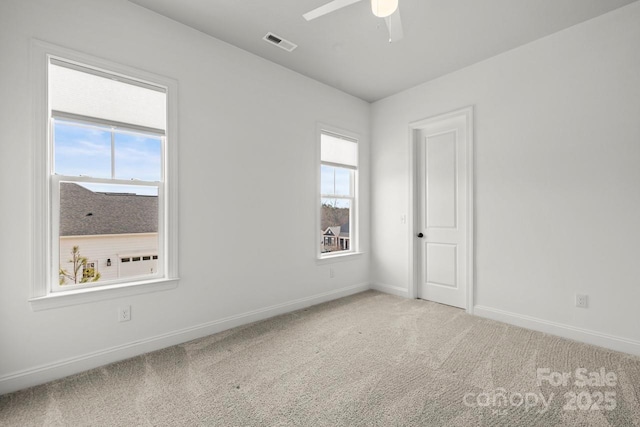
(64, 299)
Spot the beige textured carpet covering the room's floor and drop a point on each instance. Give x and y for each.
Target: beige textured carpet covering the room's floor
(366, 360)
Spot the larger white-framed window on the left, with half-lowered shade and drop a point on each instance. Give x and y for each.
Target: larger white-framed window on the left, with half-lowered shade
(108, 169)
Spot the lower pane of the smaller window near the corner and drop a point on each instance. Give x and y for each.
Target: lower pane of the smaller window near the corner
(335, 225)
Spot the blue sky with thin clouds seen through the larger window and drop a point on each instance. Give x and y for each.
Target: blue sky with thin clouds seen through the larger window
(86, 151)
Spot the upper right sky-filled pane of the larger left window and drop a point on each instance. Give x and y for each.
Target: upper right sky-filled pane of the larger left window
(138, 156)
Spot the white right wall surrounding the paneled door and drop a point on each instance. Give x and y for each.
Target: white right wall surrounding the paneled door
(557, 128)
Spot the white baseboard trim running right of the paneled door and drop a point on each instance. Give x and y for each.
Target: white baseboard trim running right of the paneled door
(559, 329)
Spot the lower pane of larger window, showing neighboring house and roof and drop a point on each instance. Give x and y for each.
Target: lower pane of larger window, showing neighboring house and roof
(107, 232)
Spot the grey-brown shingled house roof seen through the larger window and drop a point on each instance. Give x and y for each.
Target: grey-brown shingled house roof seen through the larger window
(84, 212)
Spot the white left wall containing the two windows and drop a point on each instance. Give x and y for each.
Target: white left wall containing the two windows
(247, 166)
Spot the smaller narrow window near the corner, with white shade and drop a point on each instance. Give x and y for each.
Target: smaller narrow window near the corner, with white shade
(338, 174)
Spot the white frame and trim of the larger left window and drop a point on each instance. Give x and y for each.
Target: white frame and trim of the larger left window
(44, 235)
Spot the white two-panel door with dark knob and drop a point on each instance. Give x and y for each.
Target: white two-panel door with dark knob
(443, 228)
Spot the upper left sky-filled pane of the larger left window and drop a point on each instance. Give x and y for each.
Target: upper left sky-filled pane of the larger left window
(81, 150)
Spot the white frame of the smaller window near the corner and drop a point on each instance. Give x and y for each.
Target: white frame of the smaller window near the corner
(354, 229)
